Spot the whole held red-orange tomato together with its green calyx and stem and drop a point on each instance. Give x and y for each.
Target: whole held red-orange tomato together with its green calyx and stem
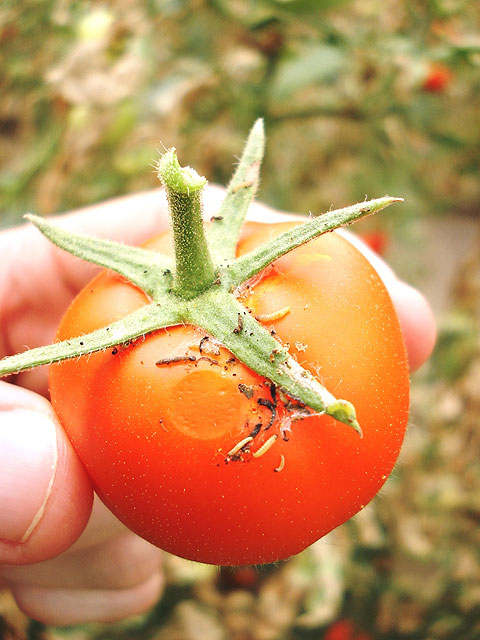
(185, 437)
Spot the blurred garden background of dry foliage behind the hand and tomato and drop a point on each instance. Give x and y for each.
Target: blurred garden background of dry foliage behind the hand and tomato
(360, 98)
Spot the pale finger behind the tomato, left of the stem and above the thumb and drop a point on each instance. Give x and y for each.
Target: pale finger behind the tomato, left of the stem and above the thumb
(39, 280)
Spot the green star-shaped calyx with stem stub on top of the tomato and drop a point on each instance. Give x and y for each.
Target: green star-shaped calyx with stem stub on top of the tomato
(198, 286)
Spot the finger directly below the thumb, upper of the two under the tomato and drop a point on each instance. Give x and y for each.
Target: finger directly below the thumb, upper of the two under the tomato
(120, 563)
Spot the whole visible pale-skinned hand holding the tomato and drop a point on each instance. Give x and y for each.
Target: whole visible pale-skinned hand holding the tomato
(63, 562)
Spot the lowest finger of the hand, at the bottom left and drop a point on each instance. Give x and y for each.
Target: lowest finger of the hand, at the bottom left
(71, 606)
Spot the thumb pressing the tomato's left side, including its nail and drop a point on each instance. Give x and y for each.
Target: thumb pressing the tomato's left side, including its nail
(45, 494)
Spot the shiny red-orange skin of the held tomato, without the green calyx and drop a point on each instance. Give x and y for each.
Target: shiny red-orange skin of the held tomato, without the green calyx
(154, 439)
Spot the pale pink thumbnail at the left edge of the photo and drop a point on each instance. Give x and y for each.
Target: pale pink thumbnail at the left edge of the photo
(28, 459)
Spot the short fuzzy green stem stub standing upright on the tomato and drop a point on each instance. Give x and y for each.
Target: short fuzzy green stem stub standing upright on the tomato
(194, 267)
